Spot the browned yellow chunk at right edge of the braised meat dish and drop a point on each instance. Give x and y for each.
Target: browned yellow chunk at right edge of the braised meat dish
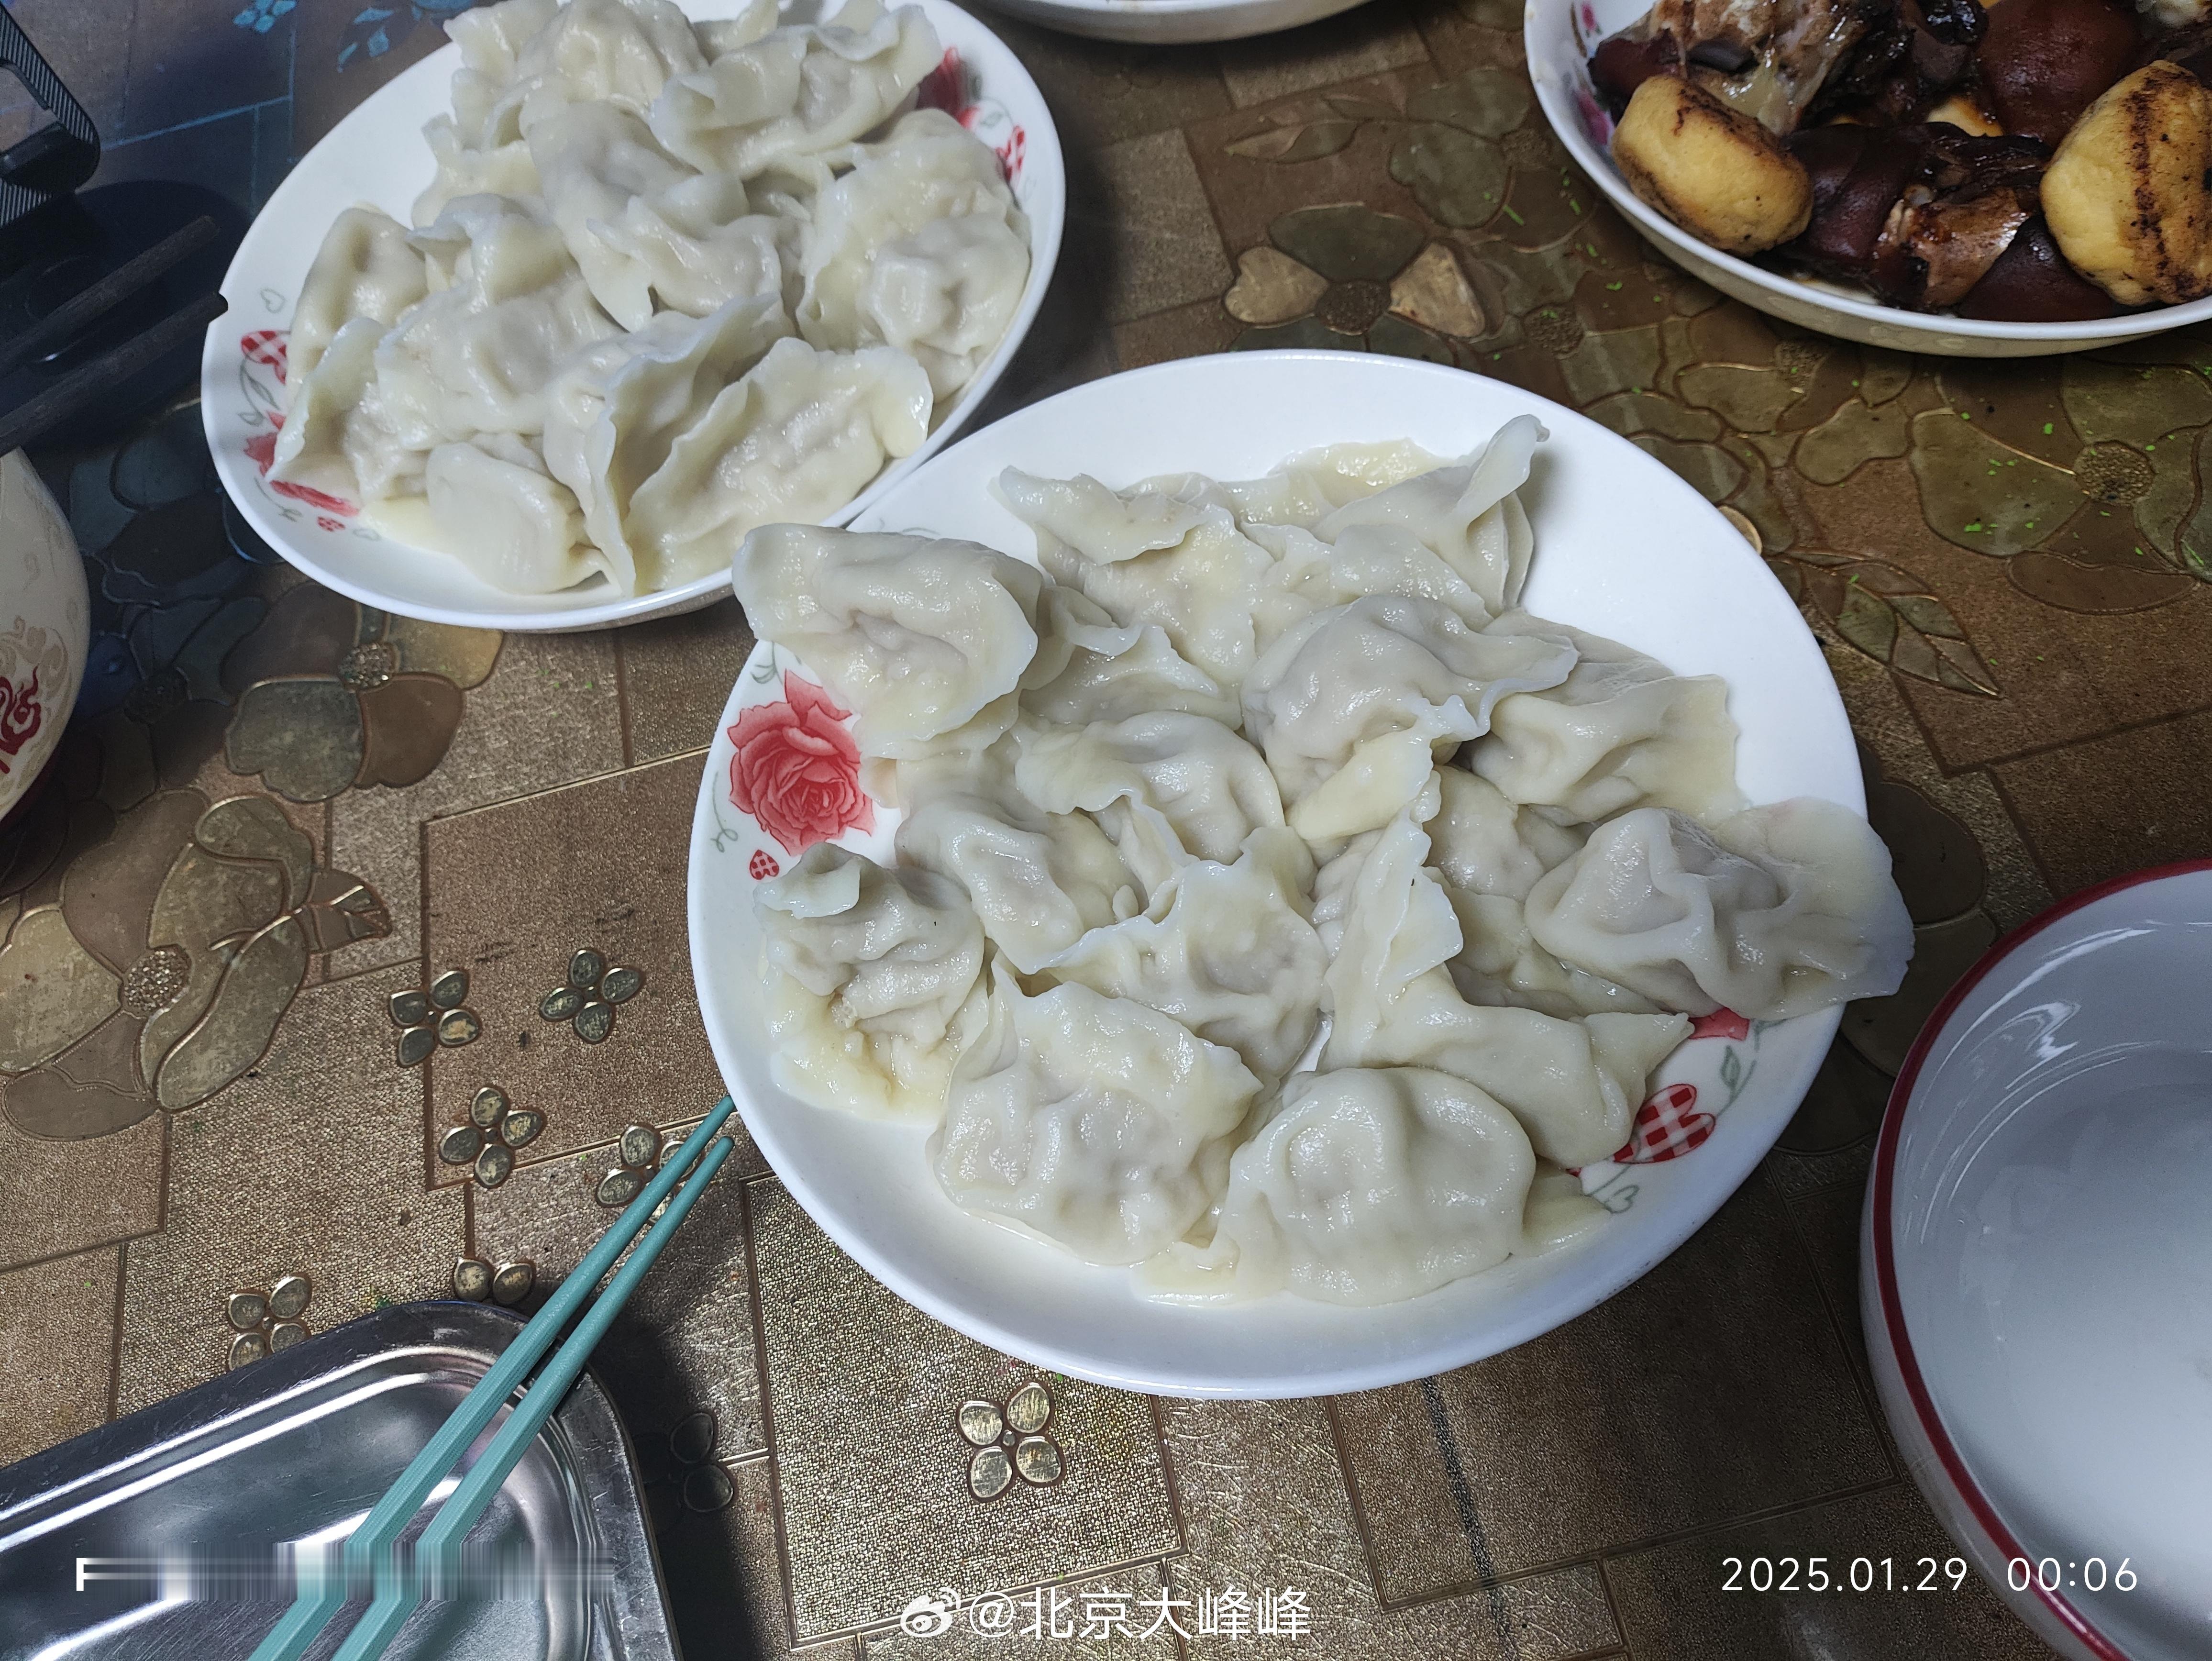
(2127, 191)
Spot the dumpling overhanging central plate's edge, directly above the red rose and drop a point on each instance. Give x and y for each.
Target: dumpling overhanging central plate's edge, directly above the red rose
(915, 636)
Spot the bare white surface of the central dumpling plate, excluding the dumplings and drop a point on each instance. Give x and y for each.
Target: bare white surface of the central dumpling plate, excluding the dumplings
(1623, 547)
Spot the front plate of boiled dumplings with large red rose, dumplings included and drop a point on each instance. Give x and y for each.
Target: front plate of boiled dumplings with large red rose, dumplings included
(1277, 875)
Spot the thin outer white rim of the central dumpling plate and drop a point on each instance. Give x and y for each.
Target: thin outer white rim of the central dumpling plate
(1729, 1156)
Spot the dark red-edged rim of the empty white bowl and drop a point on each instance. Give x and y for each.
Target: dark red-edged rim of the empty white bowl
(1888, 1295)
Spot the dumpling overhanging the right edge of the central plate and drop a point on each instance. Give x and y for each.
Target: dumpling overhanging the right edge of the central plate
(1775, 912)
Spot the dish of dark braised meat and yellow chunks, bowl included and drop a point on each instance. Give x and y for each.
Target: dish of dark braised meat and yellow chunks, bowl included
(1939, 176)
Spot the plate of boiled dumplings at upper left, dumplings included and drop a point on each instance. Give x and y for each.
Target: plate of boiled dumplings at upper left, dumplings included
(536, 335)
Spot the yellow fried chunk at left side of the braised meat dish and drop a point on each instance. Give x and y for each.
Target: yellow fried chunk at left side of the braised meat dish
(1715, 174)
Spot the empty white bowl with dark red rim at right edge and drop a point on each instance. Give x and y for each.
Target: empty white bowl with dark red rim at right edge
(2038, 1268)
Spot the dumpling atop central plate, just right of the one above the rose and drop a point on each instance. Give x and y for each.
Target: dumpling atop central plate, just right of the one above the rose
(1154, 558)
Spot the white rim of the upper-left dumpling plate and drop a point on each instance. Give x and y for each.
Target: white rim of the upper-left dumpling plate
(227, 401)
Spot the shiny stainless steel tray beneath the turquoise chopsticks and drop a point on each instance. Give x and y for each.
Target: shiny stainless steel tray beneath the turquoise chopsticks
(167, 1534)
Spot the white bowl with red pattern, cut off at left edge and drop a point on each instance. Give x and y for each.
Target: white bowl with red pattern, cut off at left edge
(45, 629)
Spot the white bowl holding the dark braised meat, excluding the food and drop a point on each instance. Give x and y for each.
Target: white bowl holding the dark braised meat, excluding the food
(1561, 36)
